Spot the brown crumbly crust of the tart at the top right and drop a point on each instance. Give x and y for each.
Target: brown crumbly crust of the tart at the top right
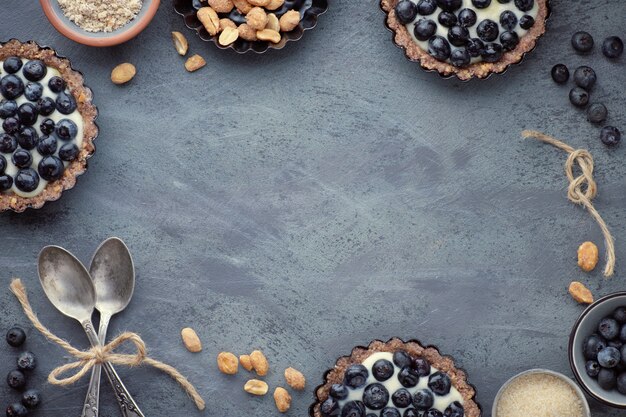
(402, 38)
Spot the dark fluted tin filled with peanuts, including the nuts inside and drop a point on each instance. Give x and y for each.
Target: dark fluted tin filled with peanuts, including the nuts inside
(250, 25)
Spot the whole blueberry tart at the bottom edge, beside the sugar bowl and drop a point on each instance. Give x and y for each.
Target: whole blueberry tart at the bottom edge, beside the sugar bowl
(395, 379)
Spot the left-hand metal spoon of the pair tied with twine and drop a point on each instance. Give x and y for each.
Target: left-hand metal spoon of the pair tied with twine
(69, 288)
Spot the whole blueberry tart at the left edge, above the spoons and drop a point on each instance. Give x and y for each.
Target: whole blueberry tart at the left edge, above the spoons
(47, 125)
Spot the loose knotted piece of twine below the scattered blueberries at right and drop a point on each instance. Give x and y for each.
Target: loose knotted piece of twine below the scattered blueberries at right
(581, 189)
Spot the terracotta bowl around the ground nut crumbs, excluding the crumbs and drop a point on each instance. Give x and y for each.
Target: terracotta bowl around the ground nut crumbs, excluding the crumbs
(69, 29)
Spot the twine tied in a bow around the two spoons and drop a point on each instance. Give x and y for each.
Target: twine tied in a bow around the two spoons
(86, 360)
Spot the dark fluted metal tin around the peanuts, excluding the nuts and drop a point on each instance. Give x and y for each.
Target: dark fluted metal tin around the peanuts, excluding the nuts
(310, 10)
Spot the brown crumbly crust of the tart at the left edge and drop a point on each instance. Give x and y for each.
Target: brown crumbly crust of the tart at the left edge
(89, 113)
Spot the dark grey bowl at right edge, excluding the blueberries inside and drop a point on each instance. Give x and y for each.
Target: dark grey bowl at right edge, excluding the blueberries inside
(584, 326)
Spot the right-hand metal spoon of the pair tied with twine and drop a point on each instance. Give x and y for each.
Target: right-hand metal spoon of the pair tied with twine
(113, 274)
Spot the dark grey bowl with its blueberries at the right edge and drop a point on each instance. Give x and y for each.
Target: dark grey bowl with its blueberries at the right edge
(597, 350)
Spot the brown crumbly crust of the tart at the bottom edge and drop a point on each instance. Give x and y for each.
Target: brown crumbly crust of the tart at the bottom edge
(414, 348)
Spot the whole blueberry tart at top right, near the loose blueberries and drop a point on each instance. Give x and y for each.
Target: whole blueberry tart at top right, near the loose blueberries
(466, 38)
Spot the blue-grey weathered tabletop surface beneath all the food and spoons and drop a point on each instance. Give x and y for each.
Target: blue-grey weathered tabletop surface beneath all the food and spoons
(312, 199)
